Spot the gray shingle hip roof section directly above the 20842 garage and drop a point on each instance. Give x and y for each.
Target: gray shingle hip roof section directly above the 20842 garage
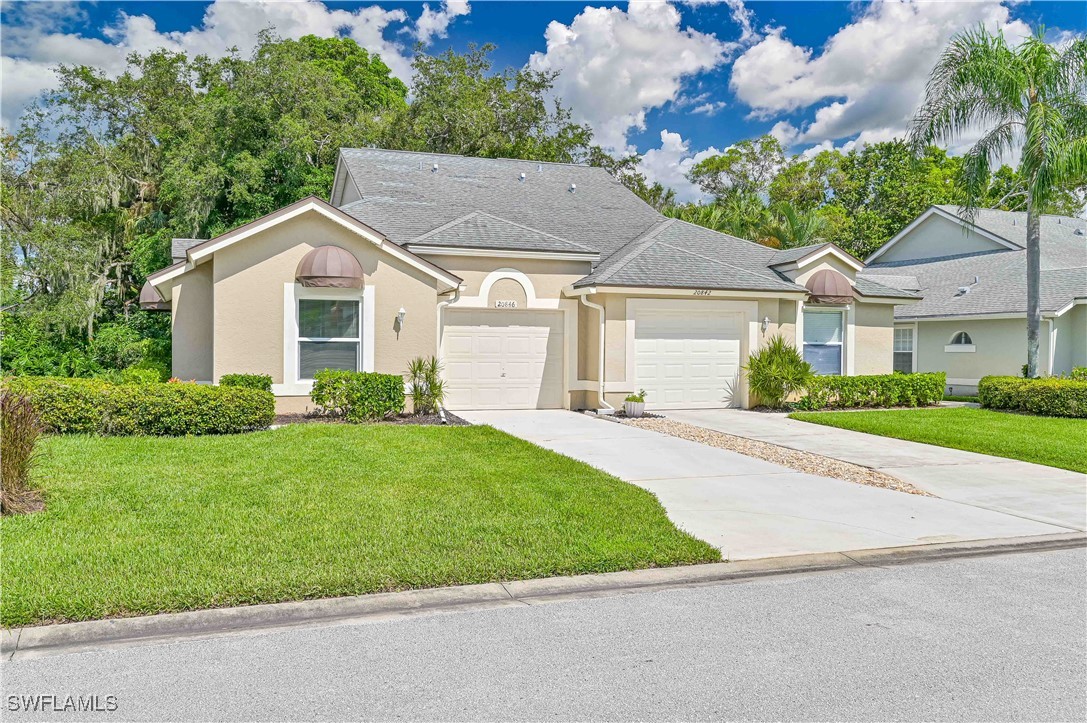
(679, 255)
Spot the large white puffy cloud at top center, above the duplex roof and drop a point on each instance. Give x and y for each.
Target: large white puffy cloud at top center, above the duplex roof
(616, 66)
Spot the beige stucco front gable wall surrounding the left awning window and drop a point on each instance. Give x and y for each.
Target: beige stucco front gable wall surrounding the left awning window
(249, 279)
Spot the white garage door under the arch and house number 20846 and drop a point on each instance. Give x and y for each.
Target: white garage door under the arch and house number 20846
(504, 359)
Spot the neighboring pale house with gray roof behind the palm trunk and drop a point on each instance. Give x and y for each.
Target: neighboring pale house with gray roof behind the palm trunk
(972, 321)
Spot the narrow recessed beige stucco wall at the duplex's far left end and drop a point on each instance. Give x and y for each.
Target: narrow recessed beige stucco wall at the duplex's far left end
(193, 338)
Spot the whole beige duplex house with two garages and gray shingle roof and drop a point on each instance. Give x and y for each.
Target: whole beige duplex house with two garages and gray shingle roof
(539, 285)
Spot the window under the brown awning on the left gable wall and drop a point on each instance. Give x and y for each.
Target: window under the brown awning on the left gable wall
(328, 336)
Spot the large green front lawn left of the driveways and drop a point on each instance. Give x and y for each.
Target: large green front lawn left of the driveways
(144, 526)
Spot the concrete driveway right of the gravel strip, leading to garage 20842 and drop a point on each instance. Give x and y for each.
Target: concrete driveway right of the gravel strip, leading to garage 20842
(993, 483)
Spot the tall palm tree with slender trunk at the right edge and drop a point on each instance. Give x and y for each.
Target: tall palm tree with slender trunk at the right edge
(1031, 98)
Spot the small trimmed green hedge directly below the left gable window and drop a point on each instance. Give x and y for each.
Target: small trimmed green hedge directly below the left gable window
(358, 396)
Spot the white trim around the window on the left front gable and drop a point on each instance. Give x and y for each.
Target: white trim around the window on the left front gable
(292, 385)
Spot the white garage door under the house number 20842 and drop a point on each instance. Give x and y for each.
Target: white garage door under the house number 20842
(688, 358)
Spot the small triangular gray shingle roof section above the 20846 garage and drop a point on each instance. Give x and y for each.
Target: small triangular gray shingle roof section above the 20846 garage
(484, 231)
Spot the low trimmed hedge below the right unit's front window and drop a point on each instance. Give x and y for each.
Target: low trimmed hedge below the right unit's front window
(923, 390)
